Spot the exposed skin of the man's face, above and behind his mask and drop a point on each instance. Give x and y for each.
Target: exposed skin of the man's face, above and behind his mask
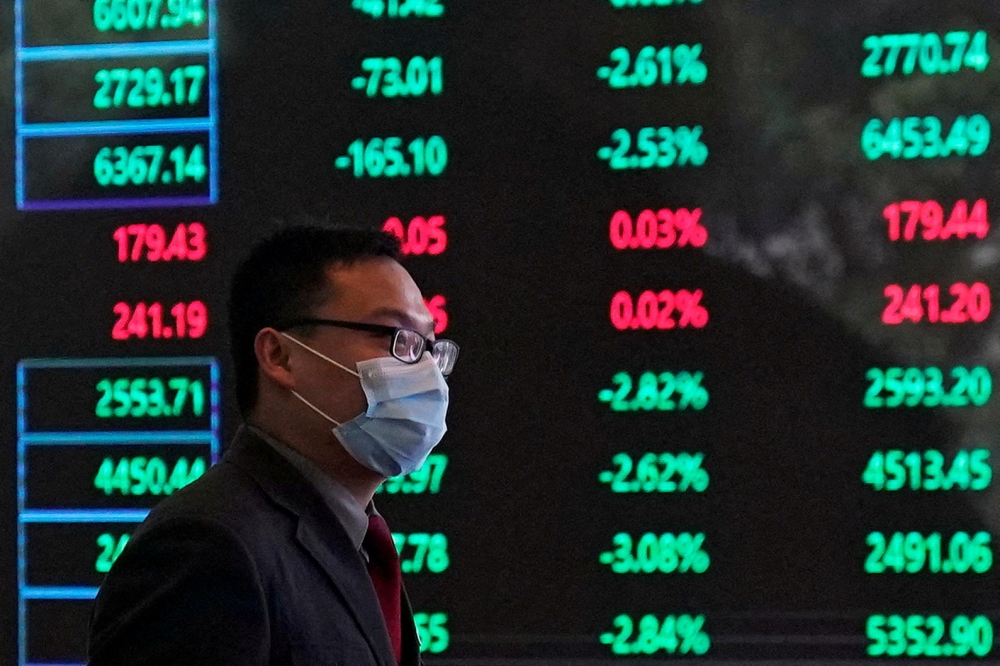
(371, 291)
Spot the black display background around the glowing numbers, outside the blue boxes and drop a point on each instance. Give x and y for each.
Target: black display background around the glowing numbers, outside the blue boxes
(793, 276)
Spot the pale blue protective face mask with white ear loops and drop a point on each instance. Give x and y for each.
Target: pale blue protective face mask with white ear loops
(405, 419)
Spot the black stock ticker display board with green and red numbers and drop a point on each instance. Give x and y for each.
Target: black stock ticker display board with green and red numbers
(721, 271)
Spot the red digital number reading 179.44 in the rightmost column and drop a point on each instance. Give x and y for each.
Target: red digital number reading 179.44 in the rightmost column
(907, 217)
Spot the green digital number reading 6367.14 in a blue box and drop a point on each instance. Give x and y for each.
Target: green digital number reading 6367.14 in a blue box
(143, 165)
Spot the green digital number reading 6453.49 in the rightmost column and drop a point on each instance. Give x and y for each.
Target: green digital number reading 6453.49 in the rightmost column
(923, 138)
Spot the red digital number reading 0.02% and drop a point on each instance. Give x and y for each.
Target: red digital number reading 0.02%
(655, 310)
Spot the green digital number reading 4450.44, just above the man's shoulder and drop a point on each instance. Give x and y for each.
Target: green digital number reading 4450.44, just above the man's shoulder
(146, 476)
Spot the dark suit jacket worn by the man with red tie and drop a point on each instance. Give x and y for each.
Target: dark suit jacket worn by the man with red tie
(245, 566)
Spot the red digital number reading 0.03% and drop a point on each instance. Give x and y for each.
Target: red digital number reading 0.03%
(658, 229)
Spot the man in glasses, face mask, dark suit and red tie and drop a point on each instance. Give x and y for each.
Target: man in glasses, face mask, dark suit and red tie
(277, 555)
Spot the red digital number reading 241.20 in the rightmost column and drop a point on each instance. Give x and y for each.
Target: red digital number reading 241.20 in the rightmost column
(971, 303)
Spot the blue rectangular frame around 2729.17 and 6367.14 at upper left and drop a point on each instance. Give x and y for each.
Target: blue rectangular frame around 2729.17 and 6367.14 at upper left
(214, 140)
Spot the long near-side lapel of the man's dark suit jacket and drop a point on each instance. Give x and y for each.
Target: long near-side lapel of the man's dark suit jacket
(319, 532)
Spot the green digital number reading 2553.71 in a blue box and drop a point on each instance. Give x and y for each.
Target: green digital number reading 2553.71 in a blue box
(149, 398)
